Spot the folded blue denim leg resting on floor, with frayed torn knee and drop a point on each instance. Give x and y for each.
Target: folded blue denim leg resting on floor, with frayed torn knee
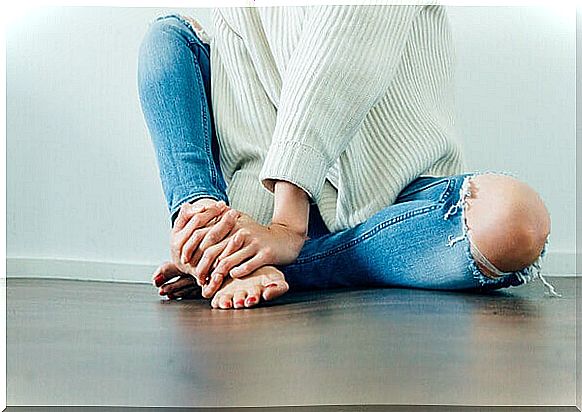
(419, 241)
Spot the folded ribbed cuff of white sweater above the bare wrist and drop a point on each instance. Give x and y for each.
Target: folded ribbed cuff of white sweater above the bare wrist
(296, 163)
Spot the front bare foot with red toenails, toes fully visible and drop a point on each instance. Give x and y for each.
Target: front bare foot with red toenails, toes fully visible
(266, 282)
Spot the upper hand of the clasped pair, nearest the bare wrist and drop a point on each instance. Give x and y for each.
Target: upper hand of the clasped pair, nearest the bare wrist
(250, 247)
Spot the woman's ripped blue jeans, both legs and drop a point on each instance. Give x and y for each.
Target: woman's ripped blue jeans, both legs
(419, 241)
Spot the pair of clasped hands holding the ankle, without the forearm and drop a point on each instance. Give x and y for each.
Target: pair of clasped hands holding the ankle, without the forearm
(213, 241)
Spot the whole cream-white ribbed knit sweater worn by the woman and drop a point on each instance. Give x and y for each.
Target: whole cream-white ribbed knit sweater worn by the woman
(350, 103)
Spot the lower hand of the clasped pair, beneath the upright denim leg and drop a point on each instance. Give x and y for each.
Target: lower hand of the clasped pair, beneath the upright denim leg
(197, 227)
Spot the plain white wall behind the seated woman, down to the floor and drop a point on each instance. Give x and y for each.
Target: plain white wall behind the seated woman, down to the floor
(82, 183)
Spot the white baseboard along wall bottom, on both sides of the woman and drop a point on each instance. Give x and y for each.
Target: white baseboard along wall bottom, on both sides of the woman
(555, 264)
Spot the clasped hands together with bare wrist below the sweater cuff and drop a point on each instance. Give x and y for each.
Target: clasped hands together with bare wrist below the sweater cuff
(238, 244)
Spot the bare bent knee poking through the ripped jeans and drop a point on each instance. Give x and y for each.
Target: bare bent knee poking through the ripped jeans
(507, 220)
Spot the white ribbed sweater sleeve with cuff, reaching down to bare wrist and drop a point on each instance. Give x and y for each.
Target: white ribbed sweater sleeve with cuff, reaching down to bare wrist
(343, 63)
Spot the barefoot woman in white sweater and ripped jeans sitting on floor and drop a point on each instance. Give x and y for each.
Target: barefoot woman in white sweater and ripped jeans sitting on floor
(321, 153)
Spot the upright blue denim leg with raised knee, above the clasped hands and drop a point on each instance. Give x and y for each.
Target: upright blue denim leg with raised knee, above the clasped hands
(174, 91)
